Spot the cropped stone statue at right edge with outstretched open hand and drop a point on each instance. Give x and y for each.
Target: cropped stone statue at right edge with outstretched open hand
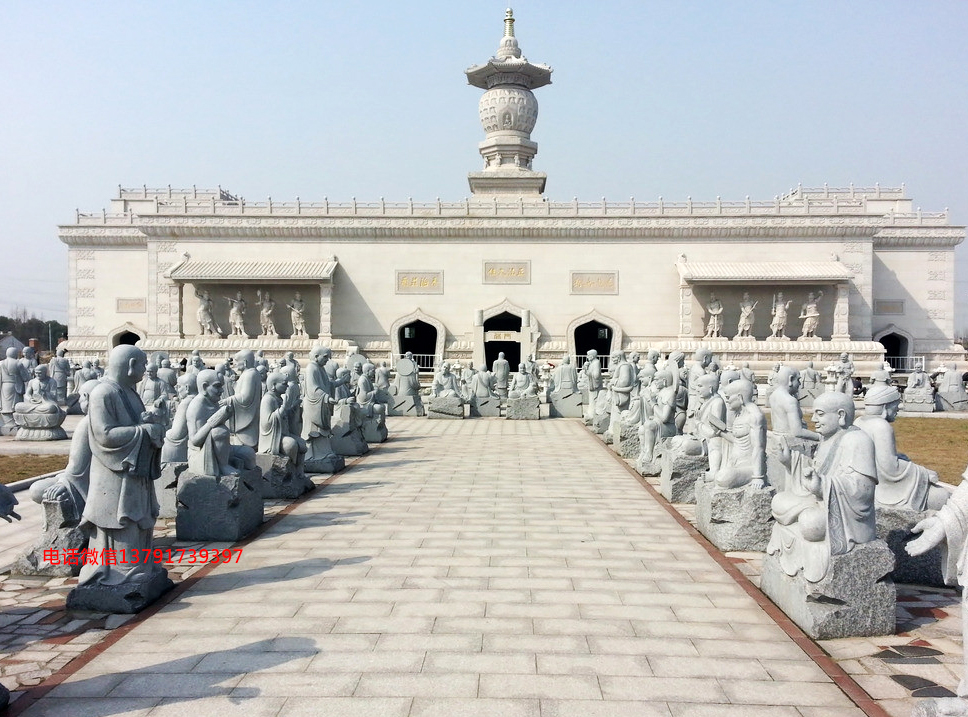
(949, 529)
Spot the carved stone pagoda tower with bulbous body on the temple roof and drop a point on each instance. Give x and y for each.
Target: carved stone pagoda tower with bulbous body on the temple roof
(508, 111)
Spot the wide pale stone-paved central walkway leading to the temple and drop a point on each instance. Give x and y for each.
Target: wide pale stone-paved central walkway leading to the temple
(482, 567)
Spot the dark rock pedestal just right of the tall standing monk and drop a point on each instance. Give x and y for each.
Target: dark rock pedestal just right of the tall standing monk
(218, 509)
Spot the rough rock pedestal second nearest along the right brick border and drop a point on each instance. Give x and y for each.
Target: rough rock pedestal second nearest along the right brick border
(735, 518)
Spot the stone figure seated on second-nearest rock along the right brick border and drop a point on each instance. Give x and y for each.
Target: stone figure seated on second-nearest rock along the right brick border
(744, 447)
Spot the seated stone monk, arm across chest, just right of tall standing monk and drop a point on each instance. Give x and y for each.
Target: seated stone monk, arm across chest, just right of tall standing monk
(210, 452)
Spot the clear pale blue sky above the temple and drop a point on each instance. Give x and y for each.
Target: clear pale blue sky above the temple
(340, 100)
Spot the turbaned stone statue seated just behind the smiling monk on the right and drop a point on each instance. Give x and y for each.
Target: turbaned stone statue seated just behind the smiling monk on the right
(901, 483)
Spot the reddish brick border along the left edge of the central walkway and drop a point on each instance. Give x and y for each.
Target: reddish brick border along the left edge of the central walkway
(37, 693)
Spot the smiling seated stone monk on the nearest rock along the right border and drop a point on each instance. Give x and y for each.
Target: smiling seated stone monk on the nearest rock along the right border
(829, 507)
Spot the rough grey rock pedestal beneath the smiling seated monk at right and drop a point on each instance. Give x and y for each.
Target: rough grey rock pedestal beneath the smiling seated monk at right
(856, 598)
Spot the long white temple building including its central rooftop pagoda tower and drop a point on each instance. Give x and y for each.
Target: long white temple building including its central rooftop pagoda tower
(510, 270)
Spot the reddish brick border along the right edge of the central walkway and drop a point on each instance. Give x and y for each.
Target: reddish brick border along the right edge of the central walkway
(826, 663)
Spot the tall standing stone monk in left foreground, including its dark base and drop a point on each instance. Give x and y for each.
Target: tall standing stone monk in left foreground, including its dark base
(121, 506)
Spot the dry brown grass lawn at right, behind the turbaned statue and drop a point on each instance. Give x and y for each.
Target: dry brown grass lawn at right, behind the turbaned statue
(940, 444)
